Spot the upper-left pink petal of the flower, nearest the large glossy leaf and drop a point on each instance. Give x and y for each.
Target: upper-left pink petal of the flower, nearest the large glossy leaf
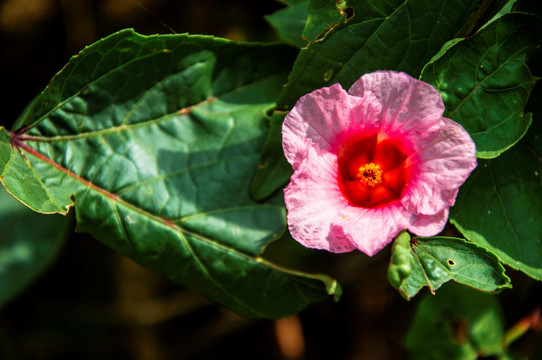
(322, 117)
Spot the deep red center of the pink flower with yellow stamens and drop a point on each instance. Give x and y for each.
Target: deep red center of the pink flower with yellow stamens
(372, 173)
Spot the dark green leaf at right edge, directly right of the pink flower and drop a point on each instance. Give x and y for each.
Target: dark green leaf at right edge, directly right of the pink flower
(500, 208)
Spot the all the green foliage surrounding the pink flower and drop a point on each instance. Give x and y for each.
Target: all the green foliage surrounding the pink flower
(168, 149)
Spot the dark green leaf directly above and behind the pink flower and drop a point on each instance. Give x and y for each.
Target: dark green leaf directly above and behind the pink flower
(373, 35)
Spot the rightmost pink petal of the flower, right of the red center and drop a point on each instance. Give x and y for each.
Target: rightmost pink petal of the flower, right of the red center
(440, 169)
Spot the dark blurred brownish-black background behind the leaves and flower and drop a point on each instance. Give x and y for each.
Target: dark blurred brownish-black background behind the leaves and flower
(93, 303)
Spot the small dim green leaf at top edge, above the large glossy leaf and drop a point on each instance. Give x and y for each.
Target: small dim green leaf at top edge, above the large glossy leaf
(290, 21)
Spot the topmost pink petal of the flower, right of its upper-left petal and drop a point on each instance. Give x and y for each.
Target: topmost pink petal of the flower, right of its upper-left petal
(411, 109)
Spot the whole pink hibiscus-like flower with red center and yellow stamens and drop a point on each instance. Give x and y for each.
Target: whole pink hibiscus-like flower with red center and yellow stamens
(371, 162)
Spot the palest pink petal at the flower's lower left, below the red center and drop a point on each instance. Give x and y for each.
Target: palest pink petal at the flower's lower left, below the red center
(320, 217)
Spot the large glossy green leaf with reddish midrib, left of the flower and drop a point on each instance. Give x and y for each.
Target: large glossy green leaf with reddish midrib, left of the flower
(154, 140)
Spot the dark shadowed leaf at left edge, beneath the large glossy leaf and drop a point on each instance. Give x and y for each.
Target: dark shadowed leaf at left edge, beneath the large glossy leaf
(29, 244)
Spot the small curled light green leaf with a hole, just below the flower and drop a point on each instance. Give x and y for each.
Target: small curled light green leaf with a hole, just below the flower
(433, 261)
